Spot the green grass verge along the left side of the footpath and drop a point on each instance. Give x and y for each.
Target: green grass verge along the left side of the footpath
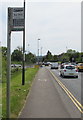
(18, 92)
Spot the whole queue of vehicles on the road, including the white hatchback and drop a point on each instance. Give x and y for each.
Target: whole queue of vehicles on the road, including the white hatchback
(66, 69)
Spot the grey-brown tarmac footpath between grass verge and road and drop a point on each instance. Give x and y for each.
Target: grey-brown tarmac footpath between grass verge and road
(44, 100)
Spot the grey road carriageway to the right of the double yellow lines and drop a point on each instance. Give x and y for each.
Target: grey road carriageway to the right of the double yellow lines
(73, 84)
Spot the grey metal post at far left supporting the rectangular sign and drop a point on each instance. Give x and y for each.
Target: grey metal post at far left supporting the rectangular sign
(8, 64)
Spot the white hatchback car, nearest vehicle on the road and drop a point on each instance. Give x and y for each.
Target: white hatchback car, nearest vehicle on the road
(69, 70)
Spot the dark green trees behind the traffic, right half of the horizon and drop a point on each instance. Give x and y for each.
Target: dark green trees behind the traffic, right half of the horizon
(69, 56)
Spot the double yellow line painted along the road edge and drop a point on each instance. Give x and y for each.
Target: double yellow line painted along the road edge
(74, 100)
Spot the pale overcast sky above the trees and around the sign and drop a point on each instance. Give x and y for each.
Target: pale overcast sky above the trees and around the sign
(56, 23)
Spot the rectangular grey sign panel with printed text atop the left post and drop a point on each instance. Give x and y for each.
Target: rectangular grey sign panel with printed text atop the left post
(17, 19)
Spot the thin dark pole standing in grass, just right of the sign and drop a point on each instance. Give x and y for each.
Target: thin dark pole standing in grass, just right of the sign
(23, 69)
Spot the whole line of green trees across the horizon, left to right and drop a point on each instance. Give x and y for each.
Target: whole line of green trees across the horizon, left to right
(70, 55)
